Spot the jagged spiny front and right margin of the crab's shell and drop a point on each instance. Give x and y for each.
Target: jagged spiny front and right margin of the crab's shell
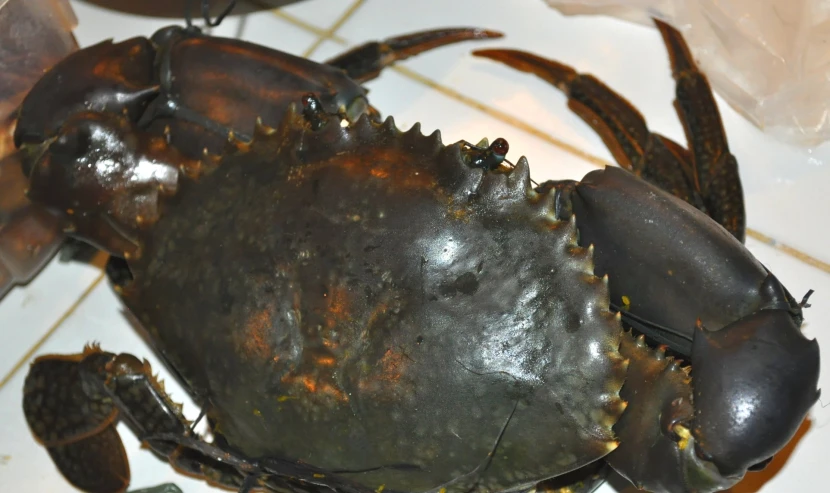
(496, 191)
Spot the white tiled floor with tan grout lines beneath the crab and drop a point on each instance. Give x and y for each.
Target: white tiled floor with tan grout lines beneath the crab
(785, 187)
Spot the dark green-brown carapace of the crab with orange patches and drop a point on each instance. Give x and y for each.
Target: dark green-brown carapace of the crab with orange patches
(366, 301)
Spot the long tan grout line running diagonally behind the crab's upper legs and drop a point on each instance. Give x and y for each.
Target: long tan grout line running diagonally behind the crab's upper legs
(530, 129)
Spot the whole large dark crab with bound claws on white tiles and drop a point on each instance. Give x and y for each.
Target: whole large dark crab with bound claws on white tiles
(359, 309)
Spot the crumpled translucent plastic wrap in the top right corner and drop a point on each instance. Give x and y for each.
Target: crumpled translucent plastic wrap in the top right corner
(769, 59)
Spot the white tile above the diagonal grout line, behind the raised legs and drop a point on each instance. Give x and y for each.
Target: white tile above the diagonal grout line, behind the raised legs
(783, 184)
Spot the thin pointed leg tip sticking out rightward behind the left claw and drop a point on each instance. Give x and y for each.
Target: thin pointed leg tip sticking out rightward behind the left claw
(366, 61)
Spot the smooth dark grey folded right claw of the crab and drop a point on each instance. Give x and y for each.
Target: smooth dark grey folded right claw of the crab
(754, 375)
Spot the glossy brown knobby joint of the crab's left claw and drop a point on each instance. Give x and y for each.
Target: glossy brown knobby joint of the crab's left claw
(104, 177)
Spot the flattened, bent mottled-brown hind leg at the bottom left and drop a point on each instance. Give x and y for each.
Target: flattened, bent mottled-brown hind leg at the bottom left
(72, 404)
